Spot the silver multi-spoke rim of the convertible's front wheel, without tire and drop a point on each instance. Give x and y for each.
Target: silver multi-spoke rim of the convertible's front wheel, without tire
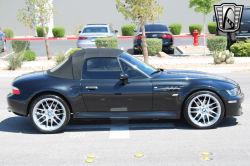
(204, 110)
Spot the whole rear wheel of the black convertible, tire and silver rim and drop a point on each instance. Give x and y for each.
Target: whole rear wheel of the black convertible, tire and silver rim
(49, 114)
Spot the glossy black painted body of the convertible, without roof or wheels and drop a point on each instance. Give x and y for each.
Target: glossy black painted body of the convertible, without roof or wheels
(139, 99)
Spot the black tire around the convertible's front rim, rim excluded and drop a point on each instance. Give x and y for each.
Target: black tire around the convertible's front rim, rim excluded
(186, 115)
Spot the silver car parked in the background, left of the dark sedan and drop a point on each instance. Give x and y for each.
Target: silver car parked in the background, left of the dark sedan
(86, 38)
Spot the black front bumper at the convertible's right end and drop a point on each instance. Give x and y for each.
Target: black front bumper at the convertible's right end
(234, 105)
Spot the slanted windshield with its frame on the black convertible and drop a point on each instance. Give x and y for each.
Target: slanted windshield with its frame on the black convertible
(135, 66)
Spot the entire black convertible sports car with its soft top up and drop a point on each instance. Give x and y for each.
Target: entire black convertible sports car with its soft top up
(110, 83)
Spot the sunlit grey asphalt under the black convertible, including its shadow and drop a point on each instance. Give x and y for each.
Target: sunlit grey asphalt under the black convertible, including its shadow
(115, 142)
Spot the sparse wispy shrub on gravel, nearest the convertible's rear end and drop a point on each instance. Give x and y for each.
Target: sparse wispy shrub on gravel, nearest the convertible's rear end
(15, 61)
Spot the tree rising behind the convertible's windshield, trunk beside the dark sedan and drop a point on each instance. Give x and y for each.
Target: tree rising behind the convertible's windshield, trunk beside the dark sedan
(140, 12)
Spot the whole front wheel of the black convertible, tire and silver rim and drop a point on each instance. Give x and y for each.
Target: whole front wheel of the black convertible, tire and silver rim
(204, 110)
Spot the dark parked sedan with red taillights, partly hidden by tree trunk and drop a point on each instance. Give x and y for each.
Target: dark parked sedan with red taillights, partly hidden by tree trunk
(154, 30)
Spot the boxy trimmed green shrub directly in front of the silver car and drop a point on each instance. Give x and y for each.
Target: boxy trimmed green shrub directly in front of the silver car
(106, 42)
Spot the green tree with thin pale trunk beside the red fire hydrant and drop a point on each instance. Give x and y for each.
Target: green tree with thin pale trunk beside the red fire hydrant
(205, 7)
